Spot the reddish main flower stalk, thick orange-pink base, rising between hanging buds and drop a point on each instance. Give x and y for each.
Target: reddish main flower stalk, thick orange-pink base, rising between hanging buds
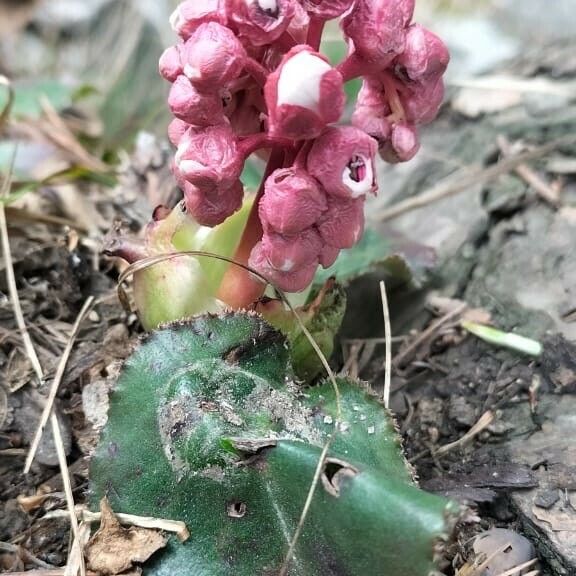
(239, 289)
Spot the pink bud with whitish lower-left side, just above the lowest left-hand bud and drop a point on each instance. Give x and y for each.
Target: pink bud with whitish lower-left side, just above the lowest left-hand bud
(209, 158)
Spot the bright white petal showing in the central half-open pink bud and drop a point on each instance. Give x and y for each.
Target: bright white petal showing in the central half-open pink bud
(299, 82)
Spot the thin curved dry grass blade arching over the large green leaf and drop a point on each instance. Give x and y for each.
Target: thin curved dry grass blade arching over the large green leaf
(151, 261)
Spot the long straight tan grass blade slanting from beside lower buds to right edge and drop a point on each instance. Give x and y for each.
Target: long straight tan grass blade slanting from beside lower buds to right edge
(469, 177)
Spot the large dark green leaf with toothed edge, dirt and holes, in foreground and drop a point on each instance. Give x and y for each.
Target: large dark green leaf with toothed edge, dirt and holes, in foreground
(206, 426)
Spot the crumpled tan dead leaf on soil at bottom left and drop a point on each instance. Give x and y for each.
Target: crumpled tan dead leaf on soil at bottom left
(114, 549)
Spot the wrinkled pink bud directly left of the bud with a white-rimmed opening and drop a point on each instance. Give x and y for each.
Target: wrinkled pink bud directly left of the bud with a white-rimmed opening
(292, 201)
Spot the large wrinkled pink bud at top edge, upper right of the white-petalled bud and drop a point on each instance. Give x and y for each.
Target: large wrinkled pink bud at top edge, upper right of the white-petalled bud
(377, 29)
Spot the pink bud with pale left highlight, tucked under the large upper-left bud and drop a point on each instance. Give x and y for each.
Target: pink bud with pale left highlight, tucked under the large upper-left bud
(194, 107)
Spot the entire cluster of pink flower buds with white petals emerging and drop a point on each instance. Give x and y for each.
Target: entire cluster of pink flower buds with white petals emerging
(247, 75)
